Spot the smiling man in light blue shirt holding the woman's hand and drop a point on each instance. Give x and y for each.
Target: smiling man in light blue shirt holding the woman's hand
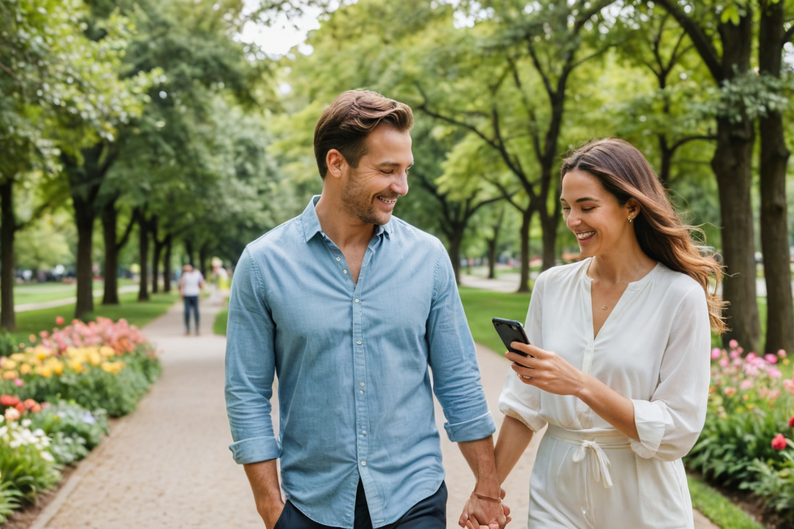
(353, 310)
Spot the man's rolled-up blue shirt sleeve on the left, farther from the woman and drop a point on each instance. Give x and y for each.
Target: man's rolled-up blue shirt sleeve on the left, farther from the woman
(250, 366)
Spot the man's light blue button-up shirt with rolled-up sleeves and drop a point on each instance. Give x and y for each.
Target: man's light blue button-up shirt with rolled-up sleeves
(354, 392)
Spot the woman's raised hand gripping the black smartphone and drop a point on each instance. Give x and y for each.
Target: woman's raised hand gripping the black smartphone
(546, 370)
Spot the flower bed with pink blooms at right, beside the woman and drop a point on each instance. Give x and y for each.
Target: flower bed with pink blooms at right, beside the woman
(747, 442)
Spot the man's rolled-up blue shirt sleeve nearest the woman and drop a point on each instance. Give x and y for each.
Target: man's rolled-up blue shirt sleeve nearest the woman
(453, 360)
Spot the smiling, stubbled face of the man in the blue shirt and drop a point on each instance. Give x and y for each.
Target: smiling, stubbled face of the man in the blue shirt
(371, 190)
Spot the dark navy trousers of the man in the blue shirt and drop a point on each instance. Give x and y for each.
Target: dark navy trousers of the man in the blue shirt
(430, 513)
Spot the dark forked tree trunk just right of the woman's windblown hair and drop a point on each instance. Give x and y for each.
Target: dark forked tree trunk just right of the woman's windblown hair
(724, 43)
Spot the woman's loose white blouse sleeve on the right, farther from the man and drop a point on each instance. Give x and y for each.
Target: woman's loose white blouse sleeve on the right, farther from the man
(670, 422)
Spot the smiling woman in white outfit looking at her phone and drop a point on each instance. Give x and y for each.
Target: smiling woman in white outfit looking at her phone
(619, 365)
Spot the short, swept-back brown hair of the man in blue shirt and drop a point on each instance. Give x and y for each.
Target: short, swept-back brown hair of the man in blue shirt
(346, 124)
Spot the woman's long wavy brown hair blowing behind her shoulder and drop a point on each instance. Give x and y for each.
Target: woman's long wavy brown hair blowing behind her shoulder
(625, 173)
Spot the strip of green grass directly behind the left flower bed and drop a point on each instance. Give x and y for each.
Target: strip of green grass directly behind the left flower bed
(137, 314)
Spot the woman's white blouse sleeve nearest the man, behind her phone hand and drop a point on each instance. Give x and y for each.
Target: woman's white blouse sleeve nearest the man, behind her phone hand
(518, 400)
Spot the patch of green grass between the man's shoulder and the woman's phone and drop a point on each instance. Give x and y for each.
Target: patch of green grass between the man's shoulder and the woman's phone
(482, 305)
